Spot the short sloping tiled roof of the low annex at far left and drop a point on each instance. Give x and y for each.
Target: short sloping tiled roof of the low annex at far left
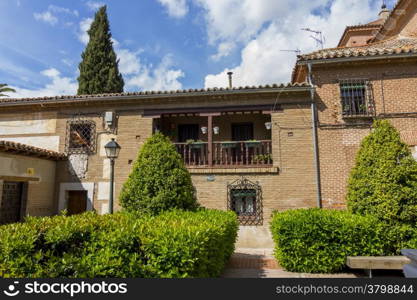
(17, 148)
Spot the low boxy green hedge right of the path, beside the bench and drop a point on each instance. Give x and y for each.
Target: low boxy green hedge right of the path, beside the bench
(318, 241)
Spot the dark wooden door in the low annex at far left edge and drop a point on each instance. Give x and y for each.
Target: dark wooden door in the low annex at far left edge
(11, 202)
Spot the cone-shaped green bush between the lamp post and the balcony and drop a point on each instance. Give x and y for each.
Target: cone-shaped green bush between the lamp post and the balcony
(159, 180)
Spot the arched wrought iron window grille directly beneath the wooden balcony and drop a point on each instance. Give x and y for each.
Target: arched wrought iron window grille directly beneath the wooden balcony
(245, 199)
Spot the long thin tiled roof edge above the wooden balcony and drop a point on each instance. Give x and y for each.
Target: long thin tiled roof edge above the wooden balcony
(156, 94)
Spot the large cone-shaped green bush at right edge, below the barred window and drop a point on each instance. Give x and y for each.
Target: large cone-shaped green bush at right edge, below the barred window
(384, 181)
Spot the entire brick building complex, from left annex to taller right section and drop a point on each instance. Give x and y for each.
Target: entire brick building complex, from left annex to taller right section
(250, 149)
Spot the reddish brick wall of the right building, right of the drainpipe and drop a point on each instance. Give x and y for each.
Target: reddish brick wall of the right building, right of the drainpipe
(394, 92)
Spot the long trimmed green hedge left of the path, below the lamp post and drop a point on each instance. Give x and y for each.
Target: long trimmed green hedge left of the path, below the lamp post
(171, 245)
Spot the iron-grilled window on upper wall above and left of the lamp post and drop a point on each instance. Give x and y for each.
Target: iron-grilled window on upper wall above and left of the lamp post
(81, 137)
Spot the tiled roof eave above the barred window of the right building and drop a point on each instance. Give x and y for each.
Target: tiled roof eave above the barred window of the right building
(392, 46)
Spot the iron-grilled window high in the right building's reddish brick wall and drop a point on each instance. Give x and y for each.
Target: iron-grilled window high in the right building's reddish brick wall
(356, 98)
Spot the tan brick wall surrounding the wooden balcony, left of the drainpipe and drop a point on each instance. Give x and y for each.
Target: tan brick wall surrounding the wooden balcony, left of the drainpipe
(289, 184)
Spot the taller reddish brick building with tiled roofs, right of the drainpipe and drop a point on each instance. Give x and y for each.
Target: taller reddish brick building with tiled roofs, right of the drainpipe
(375, 78)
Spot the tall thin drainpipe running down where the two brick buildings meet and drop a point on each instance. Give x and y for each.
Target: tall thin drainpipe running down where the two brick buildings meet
(315, 136)
